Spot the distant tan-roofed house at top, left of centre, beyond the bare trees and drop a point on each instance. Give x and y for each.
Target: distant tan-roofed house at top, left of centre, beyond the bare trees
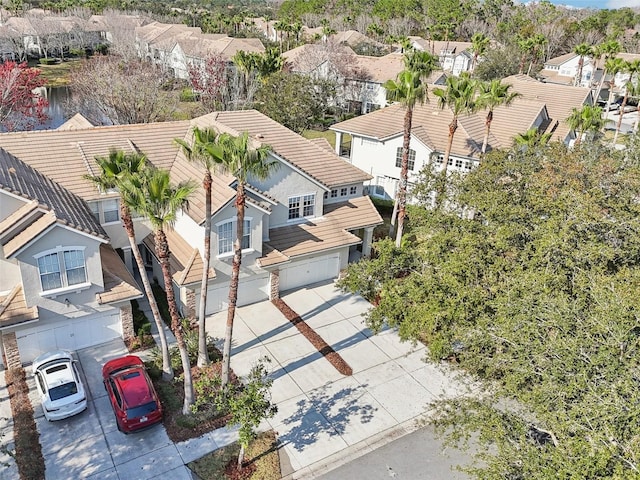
(175, 47)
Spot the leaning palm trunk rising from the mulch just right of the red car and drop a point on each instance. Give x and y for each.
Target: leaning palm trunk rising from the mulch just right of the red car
(162, 251)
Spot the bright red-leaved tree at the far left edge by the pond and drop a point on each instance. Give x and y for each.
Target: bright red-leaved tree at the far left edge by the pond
(21, 108)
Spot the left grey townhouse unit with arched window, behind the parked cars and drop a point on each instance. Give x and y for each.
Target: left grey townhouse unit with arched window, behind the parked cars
(62, 284)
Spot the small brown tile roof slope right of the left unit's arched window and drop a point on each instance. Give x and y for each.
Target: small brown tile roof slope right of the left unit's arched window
(119, 284)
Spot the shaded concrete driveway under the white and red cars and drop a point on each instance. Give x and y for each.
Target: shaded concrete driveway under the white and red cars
(89, 445)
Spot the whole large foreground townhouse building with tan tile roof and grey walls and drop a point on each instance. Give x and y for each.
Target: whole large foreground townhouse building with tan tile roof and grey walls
(302, 225)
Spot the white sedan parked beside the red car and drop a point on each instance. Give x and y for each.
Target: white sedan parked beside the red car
(59, 386)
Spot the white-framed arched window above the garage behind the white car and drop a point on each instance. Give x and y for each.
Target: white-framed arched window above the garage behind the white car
(57, 255)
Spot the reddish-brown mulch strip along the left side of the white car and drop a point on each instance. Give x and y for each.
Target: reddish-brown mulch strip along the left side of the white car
(28, 453)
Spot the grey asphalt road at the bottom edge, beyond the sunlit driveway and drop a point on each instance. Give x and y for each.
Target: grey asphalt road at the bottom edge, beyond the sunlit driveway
(417, 456)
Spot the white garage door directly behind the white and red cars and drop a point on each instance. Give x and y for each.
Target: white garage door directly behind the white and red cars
(70, 334)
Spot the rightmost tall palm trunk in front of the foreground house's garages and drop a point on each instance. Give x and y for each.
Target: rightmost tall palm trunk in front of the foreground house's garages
(233, 285)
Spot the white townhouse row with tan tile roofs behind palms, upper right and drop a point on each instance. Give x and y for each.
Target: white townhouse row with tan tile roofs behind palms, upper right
(375, 140)
